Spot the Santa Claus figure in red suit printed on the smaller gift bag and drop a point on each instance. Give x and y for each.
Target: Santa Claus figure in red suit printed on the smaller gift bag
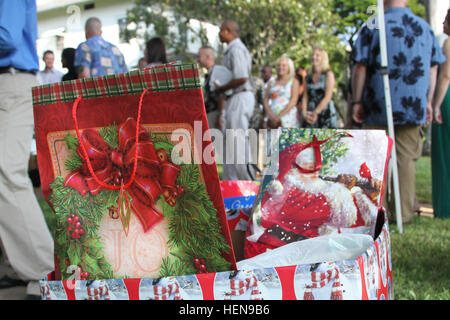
(298, 204)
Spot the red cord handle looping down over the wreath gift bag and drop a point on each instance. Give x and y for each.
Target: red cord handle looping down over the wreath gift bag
(88, 161)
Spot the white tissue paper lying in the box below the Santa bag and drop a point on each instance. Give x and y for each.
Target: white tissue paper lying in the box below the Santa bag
(328, 248)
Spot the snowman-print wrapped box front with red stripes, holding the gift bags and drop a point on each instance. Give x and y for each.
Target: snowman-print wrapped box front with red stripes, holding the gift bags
(369, 277)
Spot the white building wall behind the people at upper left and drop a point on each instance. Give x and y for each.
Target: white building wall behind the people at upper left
(61, 25)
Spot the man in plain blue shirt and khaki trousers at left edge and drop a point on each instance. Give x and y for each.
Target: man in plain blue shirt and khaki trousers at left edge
(25, 238)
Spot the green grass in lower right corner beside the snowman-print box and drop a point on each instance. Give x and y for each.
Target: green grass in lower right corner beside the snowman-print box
(421, 259)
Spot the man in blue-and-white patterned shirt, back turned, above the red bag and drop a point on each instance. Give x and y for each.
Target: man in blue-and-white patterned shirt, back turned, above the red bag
(97, 57)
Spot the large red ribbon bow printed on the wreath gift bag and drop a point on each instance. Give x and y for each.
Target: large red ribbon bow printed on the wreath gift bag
(154, 175)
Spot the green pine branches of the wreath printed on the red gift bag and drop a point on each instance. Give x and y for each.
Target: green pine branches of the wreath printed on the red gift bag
(194, 228)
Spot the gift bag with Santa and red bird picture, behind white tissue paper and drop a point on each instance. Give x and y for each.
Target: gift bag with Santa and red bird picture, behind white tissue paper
(322, 182)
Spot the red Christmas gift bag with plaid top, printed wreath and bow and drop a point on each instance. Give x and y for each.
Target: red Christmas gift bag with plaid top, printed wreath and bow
(170, 219)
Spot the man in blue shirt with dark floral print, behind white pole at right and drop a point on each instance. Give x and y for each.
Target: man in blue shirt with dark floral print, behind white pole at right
(413, 57)
